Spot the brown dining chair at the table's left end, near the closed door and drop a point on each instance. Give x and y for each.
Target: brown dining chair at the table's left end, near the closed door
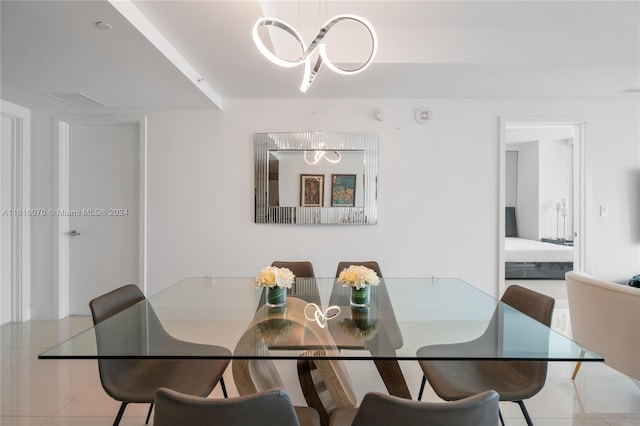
(136, 380)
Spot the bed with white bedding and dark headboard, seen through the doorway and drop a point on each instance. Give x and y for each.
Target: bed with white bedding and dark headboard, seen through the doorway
(531, 259)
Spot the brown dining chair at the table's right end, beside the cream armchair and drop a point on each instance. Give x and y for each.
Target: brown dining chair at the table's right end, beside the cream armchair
(513, 380)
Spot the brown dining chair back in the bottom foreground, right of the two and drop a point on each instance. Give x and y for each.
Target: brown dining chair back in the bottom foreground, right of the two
(380, 410)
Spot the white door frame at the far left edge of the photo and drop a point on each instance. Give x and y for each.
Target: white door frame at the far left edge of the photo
(21, 201)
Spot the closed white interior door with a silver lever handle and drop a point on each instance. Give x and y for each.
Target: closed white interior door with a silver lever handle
(104, 180)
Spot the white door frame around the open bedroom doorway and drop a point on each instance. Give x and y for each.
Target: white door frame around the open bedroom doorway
(579, 185)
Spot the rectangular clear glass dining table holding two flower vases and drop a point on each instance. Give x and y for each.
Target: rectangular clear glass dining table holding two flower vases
(318, 322)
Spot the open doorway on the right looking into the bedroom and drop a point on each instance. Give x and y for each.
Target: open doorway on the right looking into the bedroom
(541, 198)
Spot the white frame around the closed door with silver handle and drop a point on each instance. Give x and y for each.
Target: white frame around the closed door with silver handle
(62, 126)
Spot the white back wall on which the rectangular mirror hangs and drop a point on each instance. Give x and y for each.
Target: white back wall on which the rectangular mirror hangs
(438, 190)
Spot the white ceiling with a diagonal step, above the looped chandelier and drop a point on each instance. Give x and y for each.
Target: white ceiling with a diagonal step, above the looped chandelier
(427, 49)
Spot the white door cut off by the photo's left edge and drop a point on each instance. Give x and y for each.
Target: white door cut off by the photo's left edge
(6, 308)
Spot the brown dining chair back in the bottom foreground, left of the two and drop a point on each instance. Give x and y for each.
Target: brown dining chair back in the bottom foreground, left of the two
(267, 408)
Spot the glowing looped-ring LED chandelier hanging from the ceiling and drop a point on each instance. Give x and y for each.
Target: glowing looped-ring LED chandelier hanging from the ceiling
(316, 44)
